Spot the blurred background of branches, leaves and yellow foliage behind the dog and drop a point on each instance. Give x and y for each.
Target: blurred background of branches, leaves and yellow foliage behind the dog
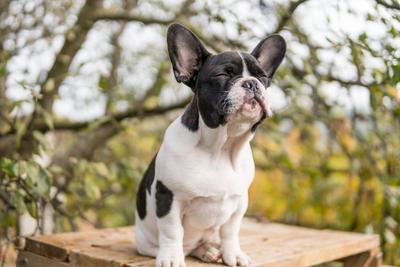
(86, 92)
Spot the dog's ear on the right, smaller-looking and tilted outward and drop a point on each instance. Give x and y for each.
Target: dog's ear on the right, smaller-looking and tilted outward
(269, 53)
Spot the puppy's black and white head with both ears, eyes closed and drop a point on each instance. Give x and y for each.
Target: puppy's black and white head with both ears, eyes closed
(229, 86)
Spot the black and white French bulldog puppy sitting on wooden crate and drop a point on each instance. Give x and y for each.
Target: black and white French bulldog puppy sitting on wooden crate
(194, 193)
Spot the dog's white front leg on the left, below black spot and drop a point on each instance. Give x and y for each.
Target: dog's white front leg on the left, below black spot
(170, 236)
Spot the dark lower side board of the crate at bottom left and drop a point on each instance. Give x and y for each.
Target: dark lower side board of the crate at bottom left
(28, 259)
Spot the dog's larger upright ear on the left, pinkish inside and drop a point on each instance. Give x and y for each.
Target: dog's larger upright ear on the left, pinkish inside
(186, 52)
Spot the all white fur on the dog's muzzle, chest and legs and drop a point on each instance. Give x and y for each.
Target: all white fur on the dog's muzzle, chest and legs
(209, 172)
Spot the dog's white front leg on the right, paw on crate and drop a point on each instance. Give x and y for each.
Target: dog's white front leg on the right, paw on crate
(232, 254)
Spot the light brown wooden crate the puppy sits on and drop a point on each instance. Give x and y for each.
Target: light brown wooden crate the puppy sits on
(268, 244)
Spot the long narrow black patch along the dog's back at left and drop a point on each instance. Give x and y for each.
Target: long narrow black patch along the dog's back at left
(145, 184)
